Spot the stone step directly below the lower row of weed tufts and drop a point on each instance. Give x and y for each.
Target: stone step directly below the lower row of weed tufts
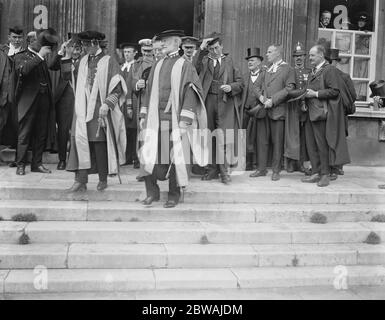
(147, 256)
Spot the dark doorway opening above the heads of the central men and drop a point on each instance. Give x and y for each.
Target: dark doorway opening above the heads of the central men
(138, 19)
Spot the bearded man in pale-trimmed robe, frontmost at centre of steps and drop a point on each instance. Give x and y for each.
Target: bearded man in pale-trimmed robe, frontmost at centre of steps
(173, 107)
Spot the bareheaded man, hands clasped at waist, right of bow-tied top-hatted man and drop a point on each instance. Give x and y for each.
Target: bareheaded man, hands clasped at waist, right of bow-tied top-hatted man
(273, 92)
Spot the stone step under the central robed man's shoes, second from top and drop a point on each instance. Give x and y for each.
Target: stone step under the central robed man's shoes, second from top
(124, 211)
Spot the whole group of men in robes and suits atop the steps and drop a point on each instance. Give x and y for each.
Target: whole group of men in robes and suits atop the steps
(146, 111)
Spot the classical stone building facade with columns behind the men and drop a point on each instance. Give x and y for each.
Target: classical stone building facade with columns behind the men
(244, 23)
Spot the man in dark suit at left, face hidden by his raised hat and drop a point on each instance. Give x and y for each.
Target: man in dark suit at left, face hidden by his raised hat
(34, 99)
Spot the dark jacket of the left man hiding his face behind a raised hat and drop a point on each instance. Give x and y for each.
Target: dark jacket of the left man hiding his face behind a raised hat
(28, 68)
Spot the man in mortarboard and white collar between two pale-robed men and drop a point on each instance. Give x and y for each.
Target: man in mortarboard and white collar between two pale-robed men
(130, 113)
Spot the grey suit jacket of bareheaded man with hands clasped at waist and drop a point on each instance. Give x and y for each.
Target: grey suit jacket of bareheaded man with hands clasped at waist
(275, 86)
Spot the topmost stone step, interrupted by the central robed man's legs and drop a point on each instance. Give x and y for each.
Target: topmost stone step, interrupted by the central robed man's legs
(212, 193)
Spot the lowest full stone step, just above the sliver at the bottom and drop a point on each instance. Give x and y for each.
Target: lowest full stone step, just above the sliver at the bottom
(132, 280)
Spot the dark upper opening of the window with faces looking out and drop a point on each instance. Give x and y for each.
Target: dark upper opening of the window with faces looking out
(347, 15)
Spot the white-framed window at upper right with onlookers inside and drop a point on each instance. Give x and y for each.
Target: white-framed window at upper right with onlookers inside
(350, 27)
